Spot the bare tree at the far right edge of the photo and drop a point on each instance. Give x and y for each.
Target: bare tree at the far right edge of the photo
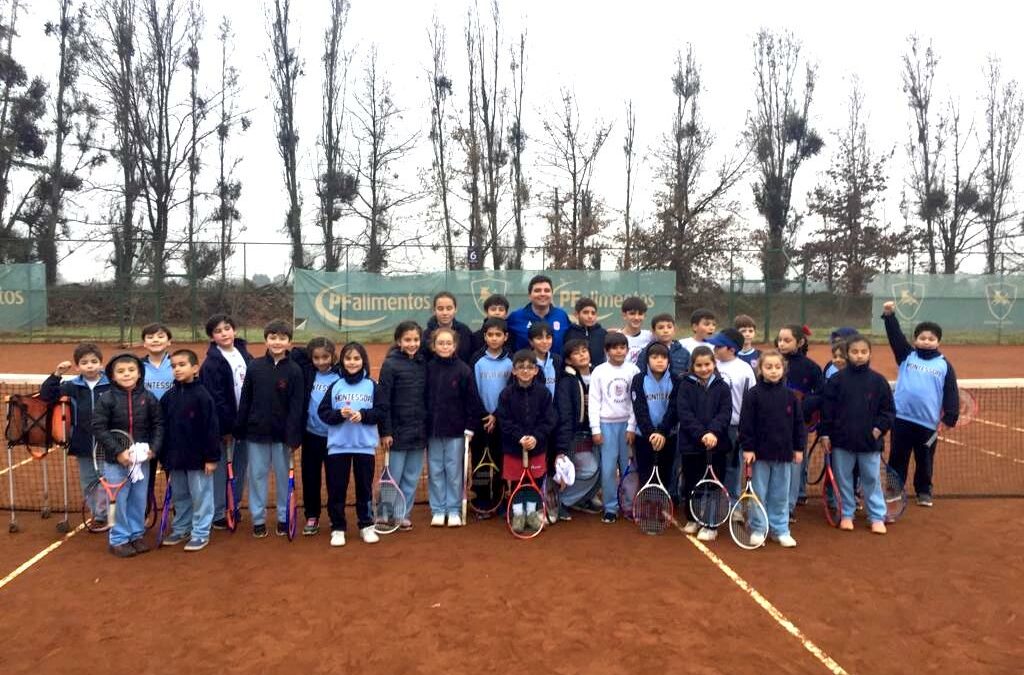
(1004, 120)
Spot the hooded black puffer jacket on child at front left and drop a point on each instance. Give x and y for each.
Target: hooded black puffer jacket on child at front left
(136, 411)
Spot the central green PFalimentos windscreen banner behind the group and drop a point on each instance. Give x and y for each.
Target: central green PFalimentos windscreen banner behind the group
(365, 304)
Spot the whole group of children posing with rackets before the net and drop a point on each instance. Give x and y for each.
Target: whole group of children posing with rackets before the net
(677, 405)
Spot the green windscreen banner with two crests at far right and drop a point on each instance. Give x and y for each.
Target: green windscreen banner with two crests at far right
(975, 303)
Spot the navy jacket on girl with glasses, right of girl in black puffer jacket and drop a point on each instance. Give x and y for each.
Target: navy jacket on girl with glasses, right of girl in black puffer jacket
(453, 404)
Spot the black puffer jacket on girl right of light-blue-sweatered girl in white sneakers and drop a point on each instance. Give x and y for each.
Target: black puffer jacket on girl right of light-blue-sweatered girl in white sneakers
(402, 401)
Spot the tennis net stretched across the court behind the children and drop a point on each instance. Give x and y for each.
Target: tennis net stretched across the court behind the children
(984, 457)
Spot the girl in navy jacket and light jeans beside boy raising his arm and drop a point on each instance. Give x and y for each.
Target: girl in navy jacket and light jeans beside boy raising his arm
(859, 411)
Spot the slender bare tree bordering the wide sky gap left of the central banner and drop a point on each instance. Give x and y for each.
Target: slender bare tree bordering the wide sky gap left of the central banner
(229, 187)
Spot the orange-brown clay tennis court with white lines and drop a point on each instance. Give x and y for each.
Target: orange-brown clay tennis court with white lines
(941, 594)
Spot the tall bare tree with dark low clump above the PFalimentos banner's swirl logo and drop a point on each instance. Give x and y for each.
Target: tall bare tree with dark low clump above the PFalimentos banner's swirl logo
(334, 186)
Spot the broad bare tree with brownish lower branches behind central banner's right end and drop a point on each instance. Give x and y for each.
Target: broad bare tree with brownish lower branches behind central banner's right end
(695, 214)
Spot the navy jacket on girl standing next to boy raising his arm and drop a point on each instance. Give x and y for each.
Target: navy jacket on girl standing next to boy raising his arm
(857, 401)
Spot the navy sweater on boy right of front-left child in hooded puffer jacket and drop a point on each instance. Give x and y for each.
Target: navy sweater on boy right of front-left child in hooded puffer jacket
(192, 434)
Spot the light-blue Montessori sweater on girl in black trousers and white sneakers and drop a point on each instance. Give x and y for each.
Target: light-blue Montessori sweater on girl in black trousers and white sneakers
(344, 437)
